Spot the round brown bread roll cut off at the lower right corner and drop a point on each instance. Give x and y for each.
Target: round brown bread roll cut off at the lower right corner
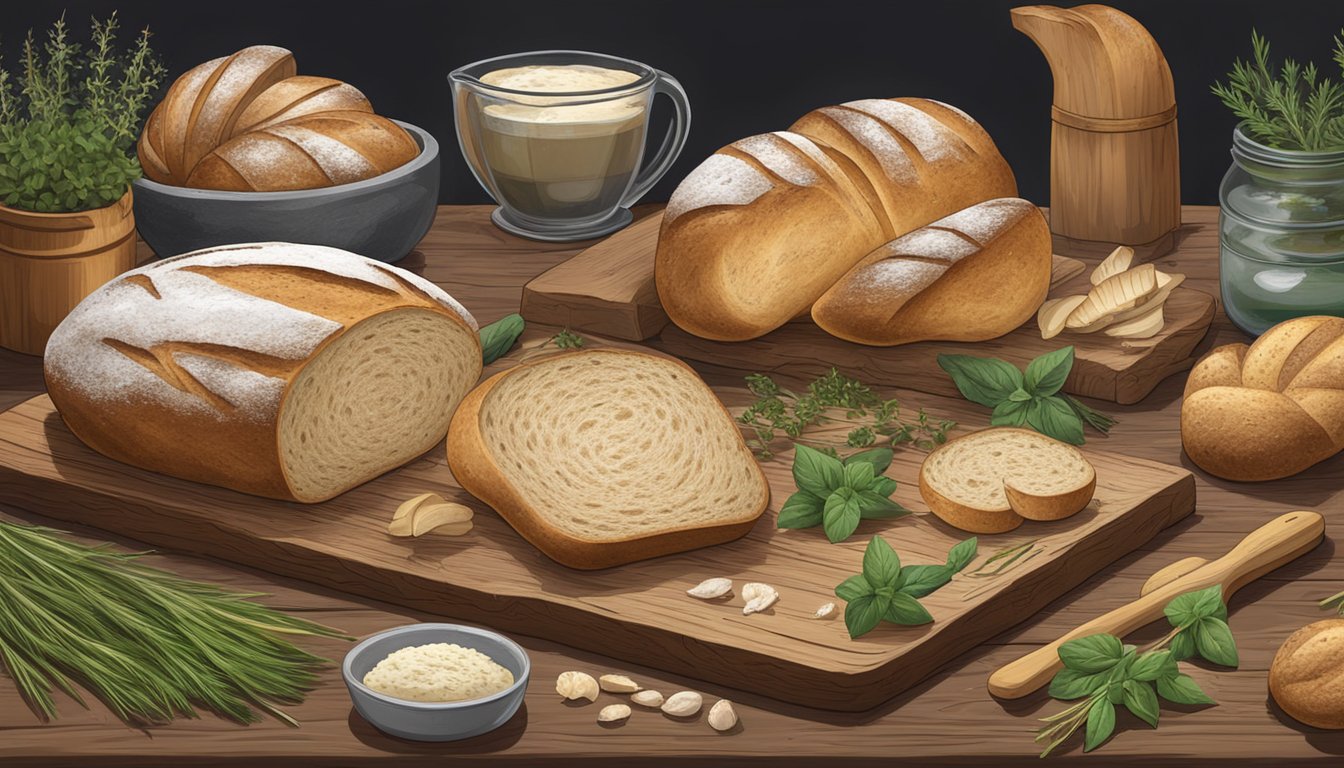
(1307, 677)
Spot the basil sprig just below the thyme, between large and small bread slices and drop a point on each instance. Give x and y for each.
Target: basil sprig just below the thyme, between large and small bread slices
(839, 494)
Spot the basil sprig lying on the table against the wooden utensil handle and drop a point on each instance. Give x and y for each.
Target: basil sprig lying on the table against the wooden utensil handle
(1107, 673)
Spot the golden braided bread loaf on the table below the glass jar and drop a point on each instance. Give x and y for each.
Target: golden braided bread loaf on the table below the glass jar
(1269, 410)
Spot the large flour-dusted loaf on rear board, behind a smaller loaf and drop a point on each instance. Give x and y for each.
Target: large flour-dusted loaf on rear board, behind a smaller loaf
(759, 232)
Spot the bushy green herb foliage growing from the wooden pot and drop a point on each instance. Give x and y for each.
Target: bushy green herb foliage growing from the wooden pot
(69, 119)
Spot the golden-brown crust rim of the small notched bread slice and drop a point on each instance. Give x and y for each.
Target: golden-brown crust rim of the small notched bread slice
(1021, 504)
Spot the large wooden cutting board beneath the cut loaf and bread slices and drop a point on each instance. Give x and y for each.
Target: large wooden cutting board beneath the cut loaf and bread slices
(639, 613)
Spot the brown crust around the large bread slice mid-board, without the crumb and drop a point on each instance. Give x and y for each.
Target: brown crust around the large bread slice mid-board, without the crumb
(478, 473)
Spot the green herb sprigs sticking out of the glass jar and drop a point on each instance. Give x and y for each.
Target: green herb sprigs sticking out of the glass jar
(1290, 107)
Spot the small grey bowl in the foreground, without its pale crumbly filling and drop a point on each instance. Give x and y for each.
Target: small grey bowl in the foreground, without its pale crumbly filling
(436, 722)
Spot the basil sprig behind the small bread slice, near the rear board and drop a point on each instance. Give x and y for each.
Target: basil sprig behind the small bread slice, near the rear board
(1033, 400)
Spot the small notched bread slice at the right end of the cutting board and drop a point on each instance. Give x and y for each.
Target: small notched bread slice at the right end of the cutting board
(989, 482)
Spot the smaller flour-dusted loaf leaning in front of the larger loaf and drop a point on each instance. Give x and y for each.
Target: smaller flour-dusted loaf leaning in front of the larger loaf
(971, 276)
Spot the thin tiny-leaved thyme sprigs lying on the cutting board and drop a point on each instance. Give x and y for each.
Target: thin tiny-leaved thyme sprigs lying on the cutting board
(834, 399)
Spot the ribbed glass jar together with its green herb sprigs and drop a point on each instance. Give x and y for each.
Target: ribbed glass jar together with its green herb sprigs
(1283, 201)
